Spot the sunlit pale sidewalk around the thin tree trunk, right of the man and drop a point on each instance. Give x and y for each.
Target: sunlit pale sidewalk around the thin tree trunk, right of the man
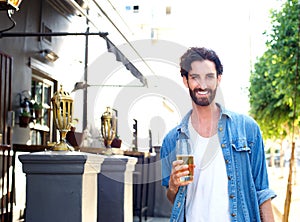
(278, 179)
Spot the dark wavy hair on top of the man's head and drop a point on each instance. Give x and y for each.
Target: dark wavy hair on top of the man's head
(199, 54)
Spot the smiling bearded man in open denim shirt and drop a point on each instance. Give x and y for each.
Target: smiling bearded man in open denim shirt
(230, 176)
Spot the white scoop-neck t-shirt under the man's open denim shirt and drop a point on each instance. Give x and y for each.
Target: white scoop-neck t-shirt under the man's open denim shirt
(207, 195)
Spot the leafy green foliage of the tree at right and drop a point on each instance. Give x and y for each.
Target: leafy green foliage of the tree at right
(274, 82)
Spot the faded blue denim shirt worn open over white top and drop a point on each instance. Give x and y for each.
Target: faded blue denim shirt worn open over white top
(243, 151)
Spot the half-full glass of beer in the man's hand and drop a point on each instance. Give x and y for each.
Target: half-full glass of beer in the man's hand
(184, 152)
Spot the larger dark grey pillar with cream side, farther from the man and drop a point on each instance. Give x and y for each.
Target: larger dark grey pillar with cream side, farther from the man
(61, 186)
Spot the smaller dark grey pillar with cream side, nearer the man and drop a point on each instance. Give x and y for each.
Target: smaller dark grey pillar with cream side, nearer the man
(115, 189)
